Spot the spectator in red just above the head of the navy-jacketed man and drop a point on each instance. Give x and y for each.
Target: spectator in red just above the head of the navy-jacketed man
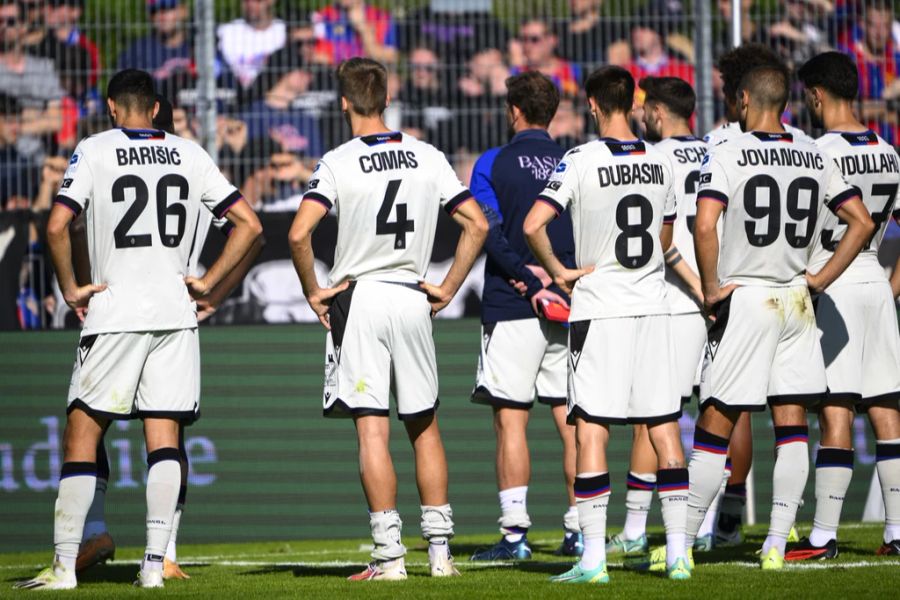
(535, 50)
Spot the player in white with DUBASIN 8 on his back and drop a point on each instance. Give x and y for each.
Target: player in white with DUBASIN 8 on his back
(621, 195)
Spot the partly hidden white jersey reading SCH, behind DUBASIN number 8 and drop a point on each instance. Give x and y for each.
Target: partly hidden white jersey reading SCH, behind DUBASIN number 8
(685, 153)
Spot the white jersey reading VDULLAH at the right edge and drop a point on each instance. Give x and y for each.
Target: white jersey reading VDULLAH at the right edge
(871, 165)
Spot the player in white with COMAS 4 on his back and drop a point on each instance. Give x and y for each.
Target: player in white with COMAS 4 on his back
(386, 188)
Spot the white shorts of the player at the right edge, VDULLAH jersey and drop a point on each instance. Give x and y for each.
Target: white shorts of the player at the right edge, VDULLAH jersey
(860, 343)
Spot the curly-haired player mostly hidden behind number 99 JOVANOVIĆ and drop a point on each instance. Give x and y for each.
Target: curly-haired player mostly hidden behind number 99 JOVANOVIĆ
(728, 507)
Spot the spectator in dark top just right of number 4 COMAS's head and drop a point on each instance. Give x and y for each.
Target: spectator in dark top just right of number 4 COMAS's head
(424, 99)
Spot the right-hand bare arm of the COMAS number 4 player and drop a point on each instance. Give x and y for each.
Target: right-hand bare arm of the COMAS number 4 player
(474, 231)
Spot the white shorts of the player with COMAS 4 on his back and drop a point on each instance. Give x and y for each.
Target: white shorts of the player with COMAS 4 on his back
(380, 342)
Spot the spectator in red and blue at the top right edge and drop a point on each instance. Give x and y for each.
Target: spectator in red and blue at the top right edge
(877, 58)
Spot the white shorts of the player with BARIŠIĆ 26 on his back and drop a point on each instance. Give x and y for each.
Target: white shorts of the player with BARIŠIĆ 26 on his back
(138, 374)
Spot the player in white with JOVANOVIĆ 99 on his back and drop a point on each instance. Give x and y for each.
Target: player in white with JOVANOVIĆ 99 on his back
(763, 347)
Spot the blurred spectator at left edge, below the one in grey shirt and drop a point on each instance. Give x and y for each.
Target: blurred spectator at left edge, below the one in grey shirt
(15, 180)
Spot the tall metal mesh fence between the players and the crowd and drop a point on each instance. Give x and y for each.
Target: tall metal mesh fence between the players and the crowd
(253, 79)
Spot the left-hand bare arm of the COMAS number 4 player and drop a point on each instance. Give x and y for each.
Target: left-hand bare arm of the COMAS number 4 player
(300, 239)
